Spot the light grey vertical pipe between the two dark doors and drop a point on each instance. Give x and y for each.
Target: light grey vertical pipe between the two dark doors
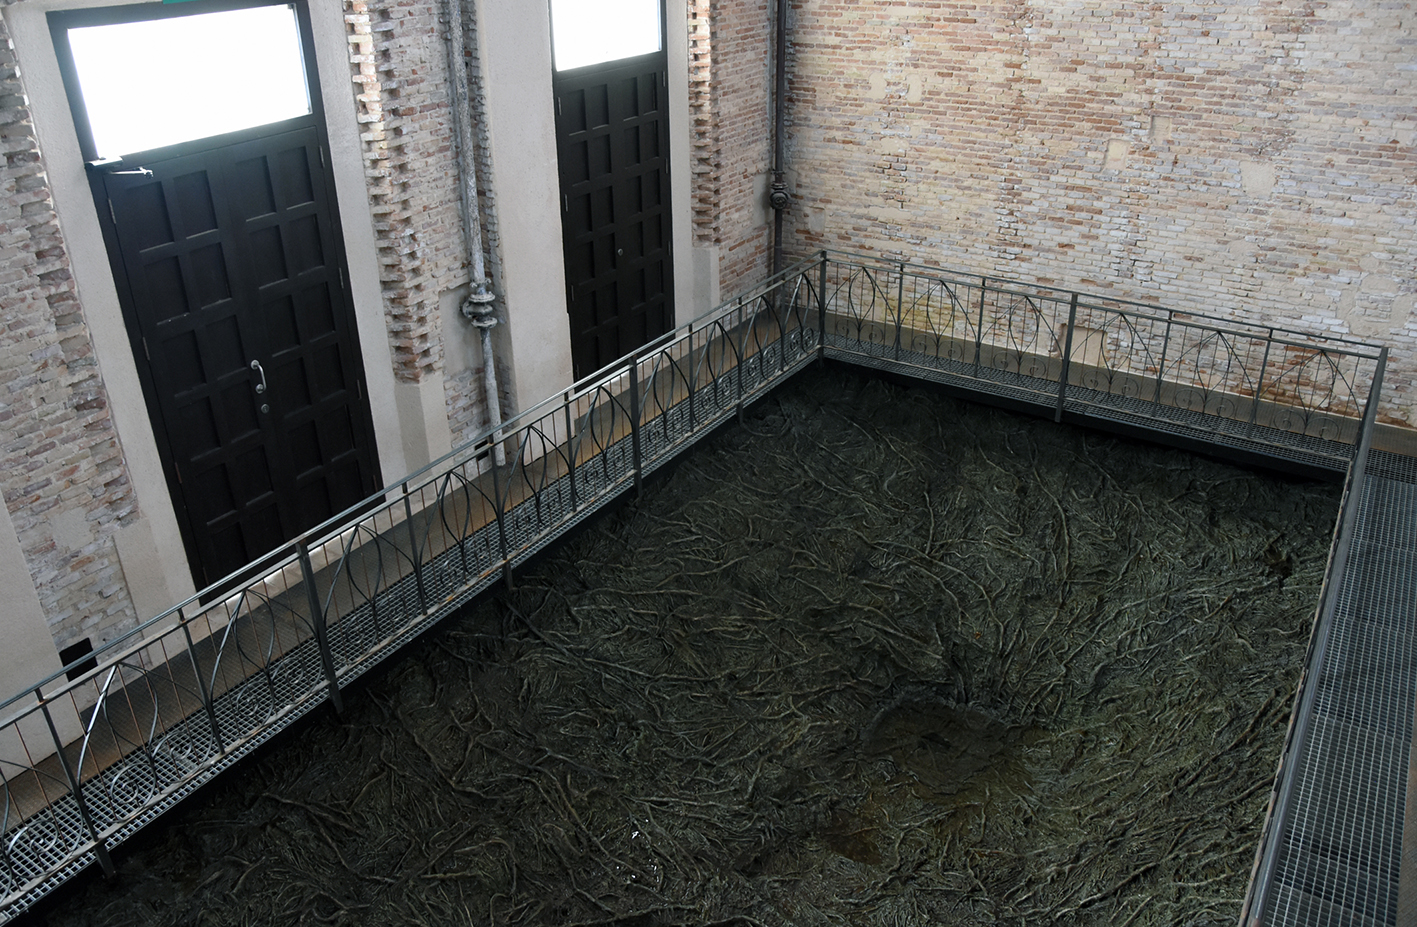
(478, 307)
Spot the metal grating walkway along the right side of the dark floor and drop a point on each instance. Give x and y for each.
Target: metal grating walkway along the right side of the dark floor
(1340, 861)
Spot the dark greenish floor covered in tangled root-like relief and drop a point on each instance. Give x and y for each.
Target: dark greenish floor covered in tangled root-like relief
(875, 657)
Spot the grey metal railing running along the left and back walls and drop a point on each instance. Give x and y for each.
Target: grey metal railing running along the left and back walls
(86, 763)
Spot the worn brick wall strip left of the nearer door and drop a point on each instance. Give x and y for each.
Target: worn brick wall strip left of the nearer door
(62, 468)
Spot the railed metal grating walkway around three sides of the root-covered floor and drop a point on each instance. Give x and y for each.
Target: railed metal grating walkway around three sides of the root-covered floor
(199, 688)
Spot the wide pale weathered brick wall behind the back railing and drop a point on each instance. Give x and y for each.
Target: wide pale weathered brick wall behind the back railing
(1252, 159)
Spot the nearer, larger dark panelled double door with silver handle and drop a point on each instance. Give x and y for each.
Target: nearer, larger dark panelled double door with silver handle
(232, 277)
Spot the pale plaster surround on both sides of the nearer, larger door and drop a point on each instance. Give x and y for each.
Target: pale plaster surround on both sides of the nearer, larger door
(149, 542)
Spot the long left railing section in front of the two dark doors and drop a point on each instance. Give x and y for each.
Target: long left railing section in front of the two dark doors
(84, 763)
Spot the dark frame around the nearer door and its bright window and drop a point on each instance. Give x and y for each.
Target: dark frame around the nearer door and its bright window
(60, 22)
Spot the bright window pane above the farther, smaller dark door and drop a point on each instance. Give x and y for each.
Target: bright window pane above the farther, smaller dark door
(594, 32)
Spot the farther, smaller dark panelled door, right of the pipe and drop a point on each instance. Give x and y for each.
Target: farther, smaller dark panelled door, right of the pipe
(613, 145)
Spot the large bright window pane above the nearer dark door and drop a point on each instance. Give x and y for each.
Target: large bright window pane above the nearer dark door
(189, 77)
